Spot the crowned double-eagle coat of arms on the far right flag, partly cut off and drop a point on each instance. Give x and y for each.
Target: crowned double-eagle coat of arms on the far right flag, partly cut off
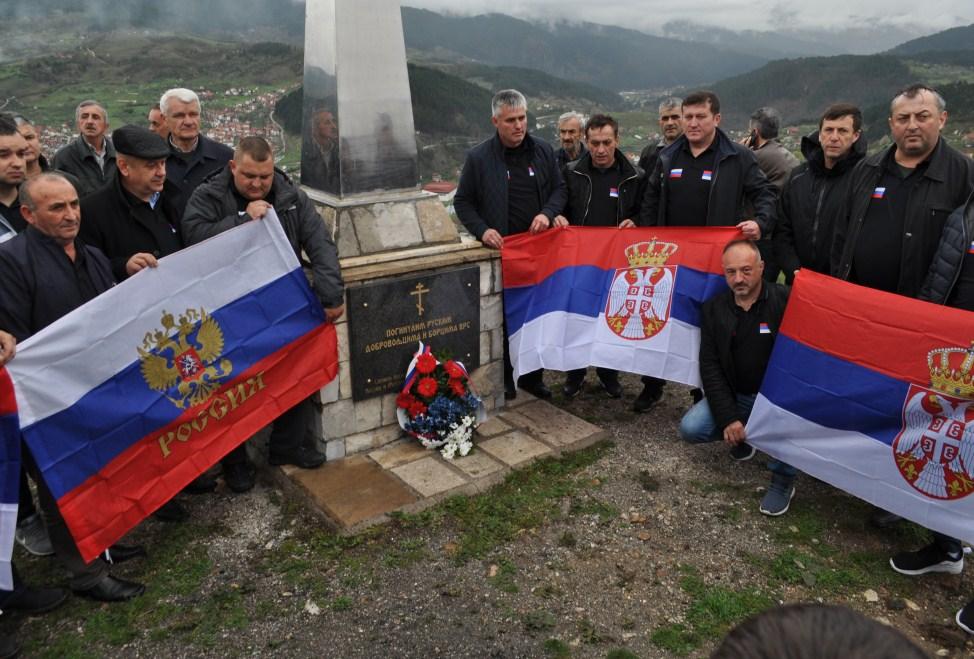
(934, 451)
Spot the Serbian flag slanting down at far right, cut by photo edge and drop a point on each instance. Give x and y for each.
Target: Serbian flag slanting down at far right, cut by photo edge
(873, 393)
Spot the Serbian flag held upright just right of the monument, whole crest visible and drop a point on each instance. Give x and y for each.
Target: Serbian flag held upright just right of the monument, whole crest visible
(627, 299)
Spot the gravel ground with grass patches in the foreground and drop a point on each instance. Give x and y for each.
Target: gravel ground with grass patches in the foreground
(655, 550)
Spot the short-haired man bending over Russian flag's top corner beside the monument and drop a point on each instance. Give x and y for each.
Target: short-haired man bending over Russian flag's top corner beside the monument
(245, 191)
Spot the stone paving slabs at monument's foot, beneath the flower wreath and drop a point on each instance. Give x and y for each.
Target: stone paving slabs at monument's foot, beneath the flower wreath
(361, 490)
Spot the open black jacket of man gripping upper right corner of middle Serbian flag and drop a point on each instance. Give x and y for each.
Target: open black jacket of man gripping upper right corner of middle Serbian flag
(736, 177)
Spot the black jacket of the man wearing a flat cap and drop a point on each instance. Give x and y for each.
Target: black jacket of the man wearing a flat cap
(110, 222)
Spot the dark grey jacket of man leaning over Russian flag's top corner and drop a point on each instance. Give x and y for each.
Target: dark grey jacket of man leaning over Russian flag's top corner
(213, 209)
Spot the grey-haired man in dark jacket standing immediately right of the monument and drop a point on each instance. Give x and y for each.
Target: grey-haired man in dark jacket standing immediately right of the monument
(510, 183)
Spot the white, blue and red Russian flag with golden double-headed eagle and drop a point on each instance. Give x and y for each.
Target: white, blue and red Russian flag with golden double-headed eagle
(130, 397)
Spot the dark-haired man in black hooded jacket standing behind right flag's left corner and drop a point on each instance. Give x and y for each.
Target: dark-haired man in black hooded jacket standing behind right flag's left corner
(815, 194)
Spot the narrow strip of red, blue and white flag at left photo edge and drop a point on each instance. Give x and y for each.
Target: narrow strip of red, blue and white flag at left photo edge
(9, 477)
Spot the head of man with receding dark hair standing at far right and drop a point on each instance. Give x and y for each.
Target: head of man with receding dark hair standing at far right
(917, 114)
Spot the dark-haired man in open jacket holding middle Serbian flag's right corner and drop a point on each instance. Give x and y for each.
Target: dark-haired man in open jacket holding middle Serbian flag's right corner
(703, 179)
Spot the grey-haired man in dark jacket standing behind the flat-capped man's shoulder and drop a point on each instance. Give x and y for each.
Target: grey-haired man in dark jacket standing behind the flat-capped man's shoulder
(90, 157)
